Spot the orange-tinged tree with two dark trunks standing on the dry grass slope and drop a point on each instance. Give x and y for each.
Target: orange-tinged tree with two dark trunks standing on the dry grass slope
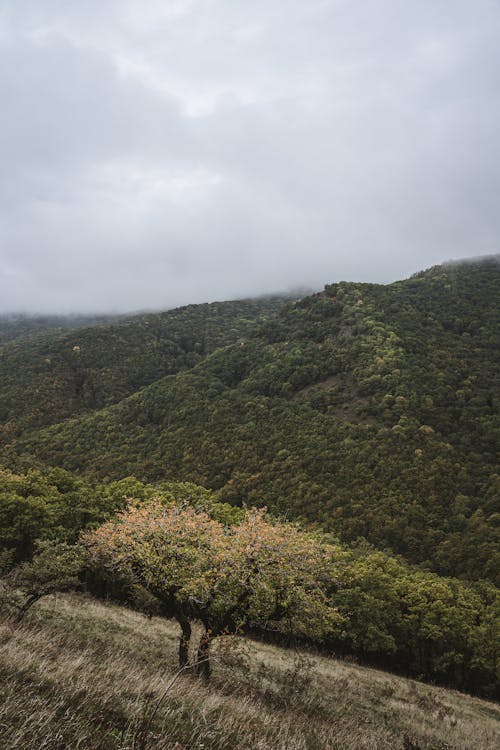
(258, 572)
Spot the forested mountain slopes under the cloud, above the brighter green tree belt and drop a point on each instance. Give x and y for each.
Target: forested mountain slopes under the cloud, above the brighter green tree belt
(372, 410)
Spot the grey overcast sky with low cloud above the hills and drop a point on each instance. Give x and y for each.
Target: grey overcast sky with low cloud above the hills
(160, 152)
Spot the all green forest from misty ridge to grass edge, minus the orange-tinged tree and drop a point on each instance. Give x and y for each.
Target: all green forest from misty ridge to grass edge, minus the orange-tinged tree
(368, 413)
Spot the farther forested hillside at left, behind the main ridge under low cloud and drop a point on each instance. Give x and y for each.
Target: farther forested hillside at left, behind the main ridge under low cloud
(54, 374)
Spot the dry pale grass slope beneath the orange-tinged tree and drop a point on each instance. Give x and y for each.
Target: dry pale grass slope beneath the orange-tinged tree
(81, 674)
